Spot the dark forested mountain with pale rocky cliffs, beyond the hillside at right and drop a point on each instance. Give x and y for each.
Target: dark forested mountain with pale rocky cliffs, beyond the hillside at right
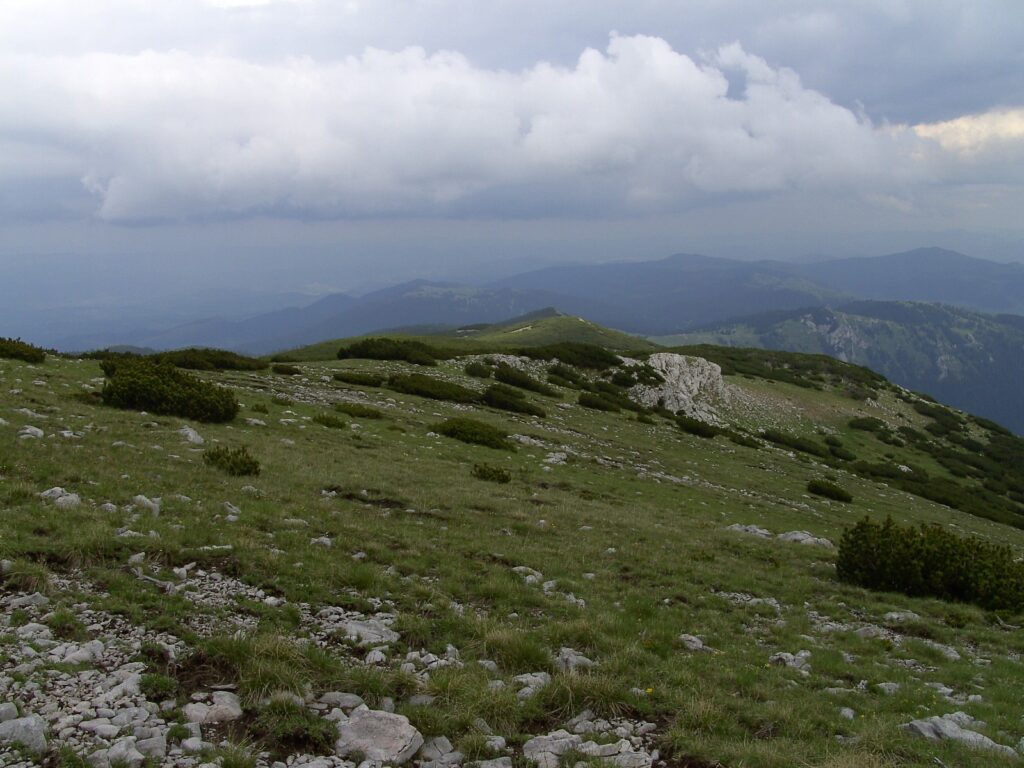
(969, 360)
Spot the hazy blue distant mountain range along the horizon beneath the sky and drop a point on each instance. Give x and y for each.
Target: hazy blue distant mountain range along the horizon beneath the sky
(668, 296)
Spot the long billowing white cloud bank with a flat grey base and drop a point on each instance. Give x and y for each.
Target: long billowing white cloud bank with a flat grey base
(636, 127)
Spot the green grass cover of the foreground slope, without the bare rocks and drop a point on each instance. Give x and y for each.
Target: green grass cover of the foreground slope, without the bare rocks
(658, 550)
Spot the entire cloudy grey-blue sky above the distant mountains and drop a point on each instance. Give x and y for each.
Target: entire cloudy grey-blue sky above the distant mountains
(158, 153)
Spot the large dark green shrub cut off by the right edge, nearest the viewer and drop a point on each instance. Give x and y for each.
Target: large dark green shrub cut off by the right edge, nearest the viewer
(931, 562)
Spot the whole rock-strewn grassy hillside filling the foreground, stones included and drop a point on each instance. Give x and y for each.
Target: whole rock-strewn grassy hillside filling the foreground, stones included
(372, 557)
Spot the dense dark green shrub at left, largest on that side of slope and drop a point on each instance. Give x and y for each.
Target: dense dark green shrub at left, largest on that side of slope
(160, 389)
